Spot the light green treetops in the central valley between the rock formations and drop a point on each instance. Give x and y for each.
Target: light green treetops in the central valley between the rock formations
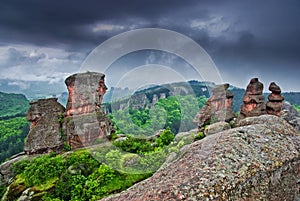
(174, 112)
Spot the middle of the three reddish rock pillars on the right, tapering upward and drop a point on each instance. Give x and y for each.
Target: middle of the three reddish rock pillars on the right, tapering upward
(253, 100)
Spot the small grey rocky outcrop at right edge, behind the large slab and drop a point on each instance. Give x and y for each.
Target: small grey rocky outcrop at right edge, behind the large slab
(290, 114)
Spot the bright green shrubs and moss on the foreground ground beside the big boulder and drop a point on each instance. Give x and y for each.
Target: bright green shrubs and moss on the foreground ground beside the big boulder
(94, 173)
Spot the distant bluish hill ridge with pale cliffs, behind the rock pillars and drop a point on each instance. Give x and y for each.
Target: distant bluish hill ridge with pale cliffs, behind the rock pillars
(145, 97)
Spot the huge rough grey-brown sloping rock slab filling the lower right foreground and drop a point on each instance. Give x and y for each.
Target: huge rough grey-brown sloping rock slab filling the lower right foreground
(258, 161)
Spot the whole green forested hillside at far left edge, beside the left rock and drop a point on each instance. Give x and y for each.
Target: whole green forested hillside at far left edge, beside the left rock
(13, 125)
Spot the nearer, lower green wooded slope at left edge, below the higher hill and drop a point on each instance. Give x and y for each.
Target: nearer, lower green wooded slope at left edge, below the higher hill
(12, 134)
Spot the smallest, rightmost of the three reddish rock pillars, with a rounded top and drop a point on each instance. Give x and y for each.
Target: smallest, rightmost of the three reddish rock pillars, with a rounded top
(275, 99)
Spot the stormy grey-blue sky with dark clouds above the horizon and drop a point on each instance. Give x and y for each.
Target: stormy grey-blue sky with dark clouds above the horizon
(49, 40)
